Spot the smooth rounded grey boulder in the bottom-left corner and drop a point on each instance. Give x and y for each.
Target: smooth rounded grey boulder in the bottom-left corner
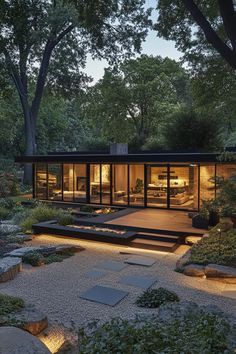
(16, 341)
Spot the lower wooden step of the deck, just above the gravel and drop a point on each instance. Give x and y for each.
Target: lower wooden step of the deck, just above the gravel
(154, 245)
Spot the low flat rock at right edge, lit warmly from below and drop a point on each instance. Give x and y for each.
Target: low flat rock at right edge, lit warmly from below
(215, 271)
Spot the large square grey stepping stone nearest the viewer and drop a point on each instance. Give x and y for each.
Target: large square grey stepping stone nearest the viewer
(104, 295)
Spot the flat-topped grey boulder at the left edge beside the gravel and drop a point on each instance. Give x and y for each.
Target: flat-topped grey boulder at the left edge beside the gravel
(9, 268)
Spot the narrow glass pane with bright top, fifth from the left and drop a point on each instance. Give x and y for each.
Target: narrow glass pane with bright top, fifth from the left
(95, 183)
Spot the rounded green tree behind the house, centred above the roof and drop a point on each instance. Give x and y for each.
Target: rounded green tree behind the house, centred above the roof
(131, 102)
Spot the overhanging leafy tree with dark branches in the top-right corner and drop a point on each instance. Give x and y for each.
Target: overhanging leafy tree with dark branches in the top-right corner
(210, 23)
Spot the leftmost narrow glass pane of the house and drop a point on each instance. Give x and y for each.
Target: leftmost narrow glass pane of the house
(41, 180)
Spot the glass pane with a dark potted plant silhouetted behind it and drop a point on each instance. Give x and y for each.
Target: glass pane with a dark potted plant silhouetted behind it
(136, 184)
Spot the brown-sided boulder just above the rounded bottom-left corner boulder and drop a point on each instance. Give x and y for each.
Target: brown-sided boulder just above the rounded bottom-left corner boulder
(30, 319)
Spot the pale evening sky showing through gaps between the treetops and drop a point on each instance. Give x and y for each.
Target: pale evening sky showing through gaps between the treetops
(152, 46)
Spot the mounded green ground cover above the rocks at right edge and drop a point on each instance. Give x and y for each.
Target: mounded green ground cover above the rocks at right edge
(218, 249)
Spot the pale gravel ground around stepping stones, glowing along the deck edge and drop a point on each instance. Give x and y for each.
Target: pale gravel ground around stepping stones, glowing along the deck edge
(55, 288)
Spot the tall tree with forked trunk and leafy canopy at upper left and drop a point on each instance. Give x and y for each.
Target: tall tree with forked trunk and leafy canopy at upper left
(35, 33)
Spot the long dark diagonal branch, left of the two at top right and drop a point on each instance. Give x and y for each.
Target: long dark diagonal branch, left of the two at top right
(210, 34)
